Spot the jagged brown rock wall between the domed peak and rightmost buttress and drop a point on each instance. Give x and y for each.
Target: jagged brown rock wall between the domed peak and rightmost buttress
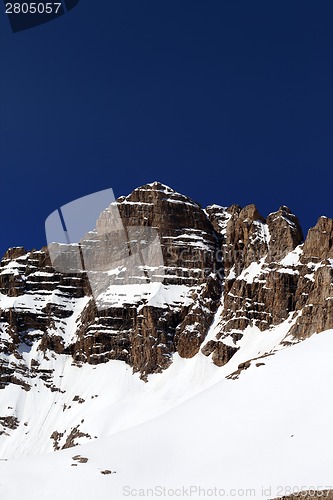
(260, 286)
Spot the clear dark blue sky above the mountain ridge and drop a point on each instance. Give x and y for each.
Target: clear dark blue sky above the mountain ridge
(228, 101)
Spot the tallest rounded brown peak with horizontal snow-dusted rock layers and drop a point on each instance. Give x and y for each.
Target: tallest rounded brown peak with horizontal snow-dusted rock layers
(143, 332)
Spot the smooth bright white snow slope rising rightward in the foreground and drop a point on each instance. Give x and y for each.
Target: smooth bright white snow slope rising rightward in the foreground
(258, 436)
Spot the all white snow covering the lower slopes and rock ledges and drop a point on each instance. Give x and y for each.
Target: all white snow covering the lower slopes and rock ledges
(190, 425)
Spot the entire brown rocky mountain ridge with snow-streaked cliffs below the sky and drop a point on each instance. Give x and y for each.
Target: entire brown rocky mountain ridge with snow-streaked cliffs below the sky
(226, 271)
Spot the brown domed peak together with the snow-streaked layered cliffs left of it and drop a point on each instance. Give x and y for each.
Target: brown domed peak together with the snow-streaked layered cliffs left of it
(39, 303)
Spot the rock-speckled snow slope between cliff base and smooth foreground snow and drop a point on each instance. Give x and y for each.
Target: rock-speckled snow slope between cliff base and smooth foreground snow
(95, 401)
